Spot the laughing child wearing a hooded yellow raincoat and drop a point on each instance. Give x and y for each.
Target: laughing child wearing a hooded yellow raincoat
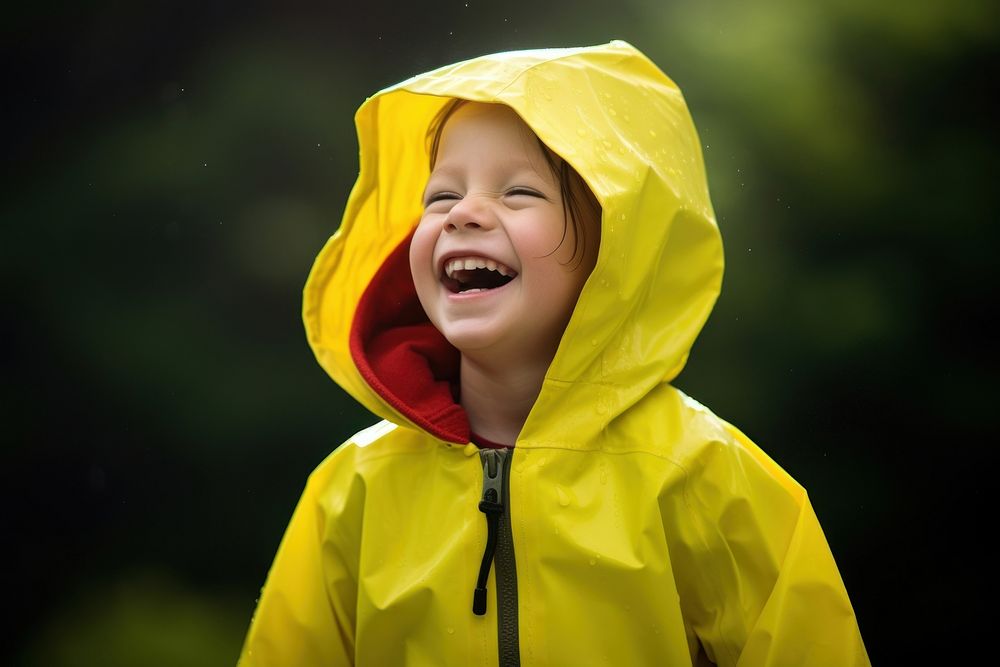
(524, 263)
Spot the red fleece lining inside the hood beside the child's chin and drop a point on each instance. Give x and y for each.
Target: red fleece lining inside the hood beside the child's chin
(403, 357)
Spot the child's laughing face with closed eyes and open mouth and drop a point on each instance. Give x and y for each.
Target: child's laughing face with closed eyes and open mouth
(490, 263)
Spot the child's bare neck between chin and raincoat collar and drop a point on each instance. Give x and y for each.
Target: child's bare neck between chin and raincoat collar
(498, 398)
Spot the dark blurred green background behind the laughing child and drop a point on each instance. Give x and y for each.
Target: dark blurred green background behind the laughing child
(171, 169)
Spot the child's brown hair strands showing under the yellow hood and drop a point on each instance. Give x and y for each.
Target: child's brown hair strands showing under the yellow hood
(574, 191)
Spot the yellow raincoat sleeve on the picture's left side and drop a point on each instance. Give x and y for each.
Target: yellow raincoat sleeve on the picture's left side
(306, 612)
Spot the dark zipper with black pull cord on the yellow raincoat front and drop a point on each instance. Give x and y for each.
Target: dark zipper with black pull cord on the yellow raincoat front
(499, 549)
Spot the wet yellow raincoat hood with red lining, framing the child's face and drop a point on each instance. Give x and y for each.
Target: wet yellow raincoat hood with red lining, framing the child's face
(624, 126)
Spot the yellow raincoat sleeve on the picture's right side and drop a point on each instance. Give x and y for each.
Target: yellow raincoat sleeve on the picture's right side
(768, 591)
